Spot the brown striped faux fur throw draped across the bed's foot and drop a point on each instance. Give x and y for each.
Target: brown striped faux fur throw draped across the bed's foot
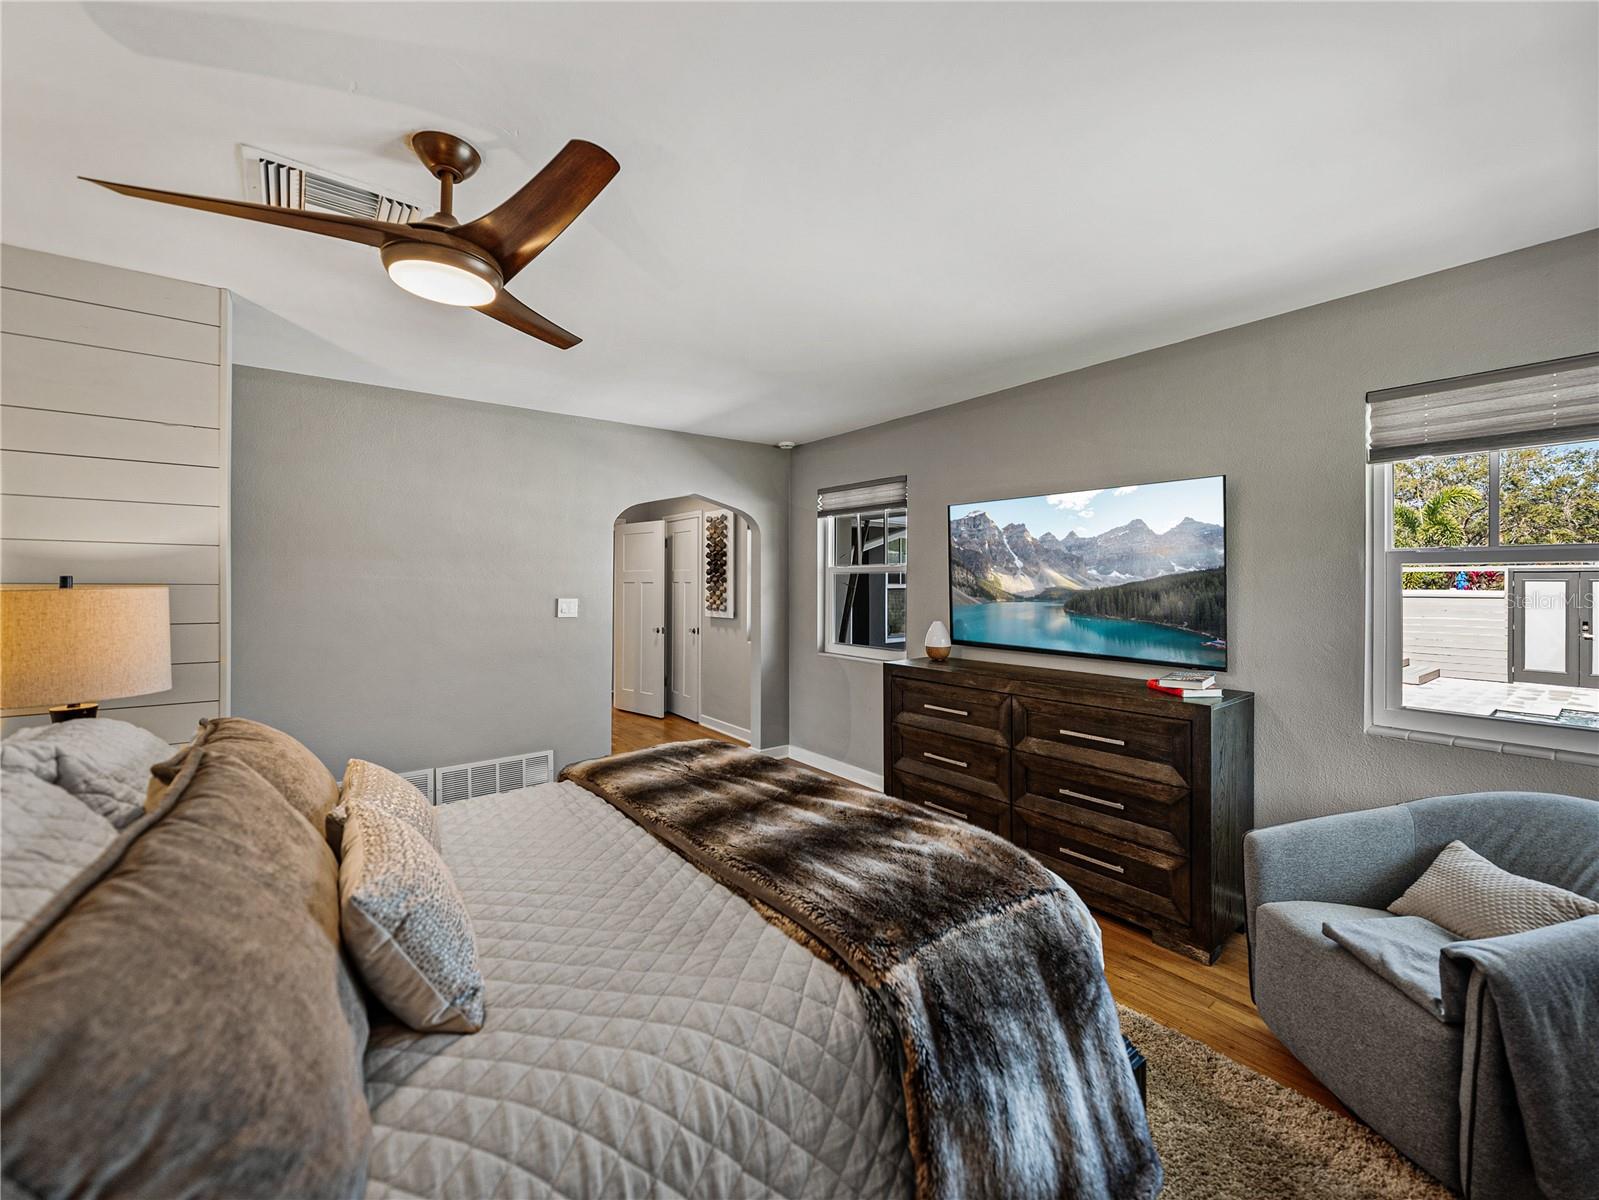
(973, 959)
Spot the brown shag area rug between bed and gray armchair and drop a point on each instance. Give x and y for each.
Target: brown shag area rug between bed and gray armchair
(1230, 1134)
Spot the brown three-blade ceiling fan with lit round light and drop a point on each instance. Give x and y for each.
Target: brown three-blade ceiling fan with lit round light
(439, 258)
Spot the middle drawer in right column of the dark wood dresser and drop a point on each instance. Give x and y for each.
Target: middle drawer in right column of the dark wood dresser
(1138, 810)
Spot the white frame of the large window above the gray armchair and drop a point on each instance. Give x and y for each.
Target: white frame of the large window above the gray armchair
(1386, 713)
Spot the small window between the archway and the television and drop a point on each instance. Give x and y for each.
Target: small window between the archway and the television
(864, 538)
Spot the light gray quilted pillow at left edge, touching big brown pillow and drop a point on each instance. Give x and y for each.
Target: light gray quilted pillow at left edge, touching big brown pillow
(47, 838)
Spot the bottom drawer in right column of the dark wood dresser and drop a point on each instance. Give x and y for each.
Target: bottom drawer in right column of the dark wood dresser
(1111, 873)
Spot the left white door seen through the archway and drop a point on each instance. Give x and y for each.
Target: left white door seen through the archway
(639, 615)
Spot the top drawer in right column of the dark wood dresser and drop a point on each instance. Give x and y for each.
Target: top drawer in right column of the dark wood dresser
(1111, 740)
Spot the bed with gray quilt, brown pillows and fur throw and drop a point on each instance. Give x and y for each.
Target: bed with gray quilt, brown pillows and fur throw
(652, 1026)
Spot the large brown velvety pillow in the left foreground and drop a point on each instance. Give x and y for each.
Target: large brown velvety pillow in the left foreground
(180, 1020)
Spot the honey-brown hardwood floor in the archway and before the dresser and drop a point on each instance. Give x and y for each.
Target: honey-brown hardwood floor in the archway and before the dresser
(1208, 1004)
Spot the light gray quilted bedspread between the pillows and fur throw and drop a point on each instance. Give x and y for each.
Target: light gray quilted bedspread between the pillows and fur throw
(648, 1034)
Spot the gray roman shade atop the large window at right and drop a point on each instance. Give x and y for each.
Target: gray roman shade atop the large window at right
(1533, 406)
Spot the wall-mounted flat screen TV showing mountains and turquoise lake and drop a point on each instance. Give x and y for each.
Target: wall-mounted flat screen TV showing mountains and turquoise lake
(1136, 572)
